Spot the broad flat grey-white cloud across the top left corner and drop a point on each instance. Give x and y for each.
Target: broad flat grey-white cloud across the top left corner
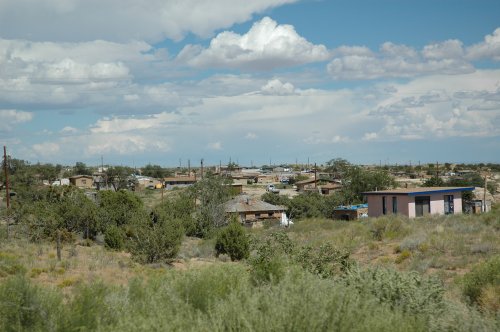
(123, 20)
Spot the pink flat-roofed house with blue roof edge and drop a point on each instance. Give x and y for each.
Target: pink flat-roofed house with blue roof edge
(416, 202)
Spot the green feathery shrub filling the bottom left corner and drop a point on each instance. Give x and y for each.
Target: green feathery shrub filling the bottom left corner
(27, 307)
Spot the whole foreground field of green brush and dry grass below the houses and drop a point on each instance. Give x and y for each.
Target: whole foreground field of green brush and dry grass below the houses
(123, 267)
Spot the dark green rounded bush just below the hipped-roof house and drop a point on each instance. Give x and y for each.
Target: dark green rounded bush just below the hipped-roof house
(233, 241)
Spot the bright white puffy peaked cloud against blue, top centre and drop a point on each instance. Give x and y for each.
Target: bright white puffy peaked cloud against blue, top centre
(265, 46)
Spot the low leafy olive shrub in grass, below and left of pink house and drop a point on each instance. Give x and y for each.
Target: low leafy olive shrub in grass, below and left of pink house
(325, 261)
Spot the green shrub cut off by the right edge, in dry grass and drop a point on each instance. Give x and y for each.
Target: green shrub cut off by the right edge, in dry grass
(481, 276)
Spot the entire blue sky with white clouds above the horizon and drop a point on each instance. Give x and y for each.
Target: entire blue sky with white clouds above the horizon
(254, 82)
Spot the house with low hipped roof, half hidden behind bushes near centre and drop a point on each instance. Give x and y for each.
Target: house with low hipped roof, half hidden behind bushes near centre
(249, 209)
